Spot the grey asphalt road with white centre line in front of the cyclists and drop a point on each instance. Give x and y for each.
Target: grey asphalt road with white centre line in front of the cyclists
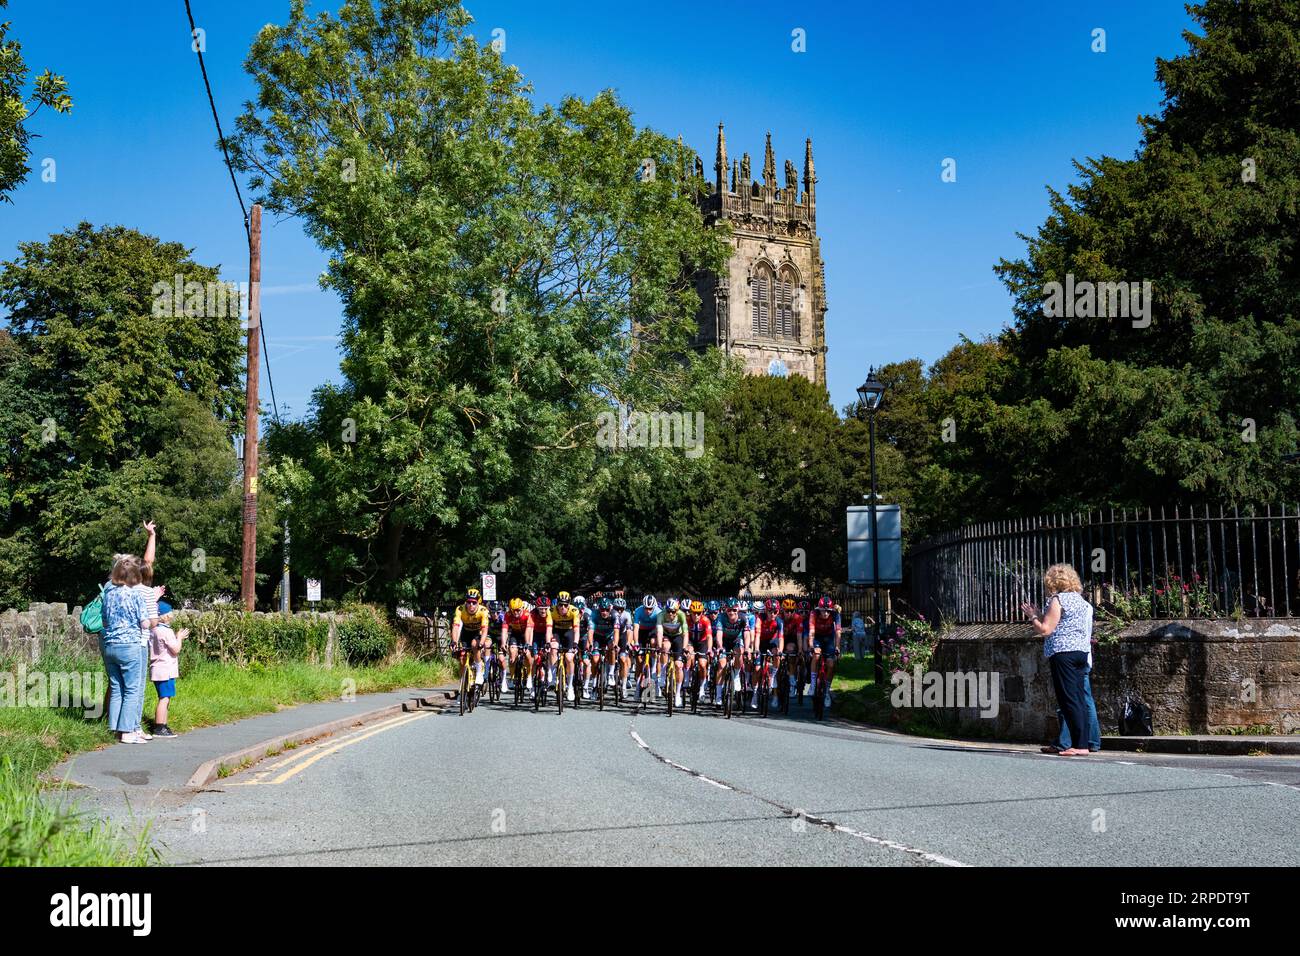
(608, 789)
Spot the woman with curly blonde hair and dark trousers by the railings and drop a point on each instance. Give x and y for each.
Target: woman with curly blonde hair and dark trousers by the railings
(1065, 625)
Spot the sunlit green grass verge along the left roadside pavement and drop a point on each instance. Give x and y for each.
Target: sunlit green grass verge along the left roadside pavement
(40, 830)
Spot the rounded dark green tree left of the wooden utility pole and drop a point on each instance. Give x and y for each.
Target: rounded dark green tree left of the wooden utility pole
(116, 410)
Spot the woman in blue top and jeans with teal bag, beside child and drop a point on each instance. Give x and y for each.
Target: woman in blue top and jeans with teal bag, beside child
(125, 616)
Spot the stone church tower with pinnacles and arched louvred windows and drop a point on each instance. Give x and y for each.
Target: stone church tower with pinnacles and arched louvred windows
(770, 308)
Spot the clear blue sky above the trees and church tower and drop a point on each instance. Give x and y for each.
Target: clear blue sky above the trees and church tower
(887, 92)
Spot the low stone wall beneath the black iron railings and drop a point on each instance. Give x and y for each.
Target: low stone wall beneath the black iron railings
(1198, 677)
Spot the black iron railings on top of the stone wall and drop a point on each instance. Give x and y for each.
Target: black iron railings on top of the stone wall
(1186, 563)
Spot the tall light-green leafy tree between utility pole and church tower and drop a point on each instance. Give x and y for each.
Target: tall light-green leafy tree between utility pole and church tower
(506, 276)
